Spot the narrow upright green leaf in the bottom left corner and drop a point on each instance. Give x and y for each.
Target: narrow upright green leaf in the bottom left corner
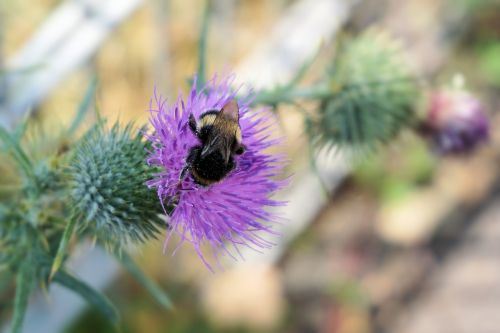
(24, 284)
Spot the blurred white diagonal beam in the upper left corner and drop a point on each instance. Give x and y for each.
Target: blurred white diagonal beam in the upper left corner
(67, 40)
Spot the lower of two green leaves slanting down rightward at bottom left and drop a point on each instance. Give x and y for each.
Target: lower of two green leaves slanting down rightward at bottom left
(92, 296)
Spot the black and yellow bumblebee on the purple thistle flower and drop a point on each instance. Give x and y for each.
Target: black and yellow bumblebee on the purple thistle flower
(219, 133)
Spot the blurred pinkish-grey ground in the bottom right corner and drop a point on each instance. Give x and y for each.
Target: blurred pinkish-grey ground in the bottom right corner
(463, 294)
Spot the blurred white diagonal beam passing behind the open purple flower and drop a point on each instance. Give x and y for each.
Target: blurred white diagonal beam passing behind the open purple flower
(294, 40)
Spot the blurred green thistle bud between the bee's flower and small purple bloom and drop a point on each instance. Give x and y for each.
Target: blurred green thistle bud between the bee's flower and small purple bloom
(374, 94)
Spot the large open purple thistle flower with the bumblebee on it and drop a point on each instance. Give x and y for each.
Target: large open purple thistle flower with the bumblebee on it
(233, 211)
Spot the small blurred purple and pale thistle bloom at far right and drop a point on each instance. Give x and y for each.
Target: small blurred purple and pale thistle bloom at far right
(456, 122)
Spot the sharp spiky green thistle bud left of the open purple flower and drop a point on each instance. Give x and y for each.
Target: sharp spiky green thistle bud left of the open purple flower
(107, 173)
